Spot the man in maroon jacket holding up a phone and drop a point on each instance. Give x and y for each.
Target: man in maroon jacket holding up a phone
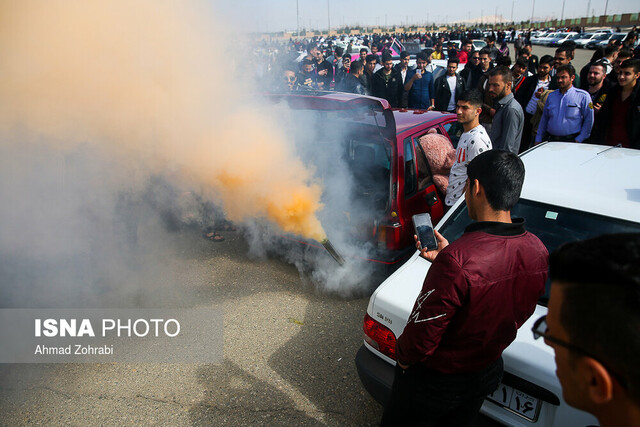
(479, 290)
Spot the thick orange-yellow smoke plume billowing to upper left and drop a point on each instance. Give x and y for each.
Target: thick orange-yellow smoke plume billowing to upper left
(150, 82)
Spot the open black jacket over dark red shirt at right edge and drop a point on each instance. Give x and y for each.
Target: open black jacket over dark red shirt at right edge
(605, 116)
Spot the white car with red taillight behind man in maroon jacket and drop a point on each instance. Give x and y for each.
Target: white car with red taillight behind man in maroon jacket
(571, 192)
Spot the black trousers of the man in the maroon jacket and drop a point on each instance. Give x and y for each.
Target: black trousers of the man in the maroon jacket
(423, 397)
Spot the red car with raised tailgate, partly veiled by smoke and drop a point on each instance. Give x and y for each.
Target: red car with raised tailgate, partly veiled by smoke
(375, 174)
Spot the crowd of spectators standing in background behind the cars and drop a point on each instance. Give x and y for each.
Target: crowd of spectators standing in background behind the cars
(524, 102)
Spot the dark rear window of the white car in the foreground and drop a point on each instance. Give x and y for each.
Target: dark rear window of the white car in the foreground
(552, 224)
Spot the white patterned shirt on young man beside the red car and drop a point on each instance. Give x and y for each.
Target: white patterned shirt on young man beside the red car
(471, 144)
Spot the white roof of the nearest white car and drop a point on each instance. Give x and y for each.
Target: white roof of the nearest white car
(571, 175)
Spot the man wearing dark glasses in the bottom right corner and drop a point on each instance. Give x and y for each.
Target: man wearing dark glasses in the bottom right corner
(593, 325)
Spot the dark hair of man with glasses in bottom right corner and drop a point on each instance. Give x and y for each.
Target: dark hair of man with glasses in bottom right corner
(600, 280)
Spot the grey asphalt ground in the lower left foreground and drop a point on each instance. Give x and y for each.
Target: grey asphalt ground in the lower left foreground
(288, 352)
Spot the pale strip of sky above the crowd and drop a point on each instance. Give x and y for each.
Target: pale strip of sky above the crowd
(278, 15)
